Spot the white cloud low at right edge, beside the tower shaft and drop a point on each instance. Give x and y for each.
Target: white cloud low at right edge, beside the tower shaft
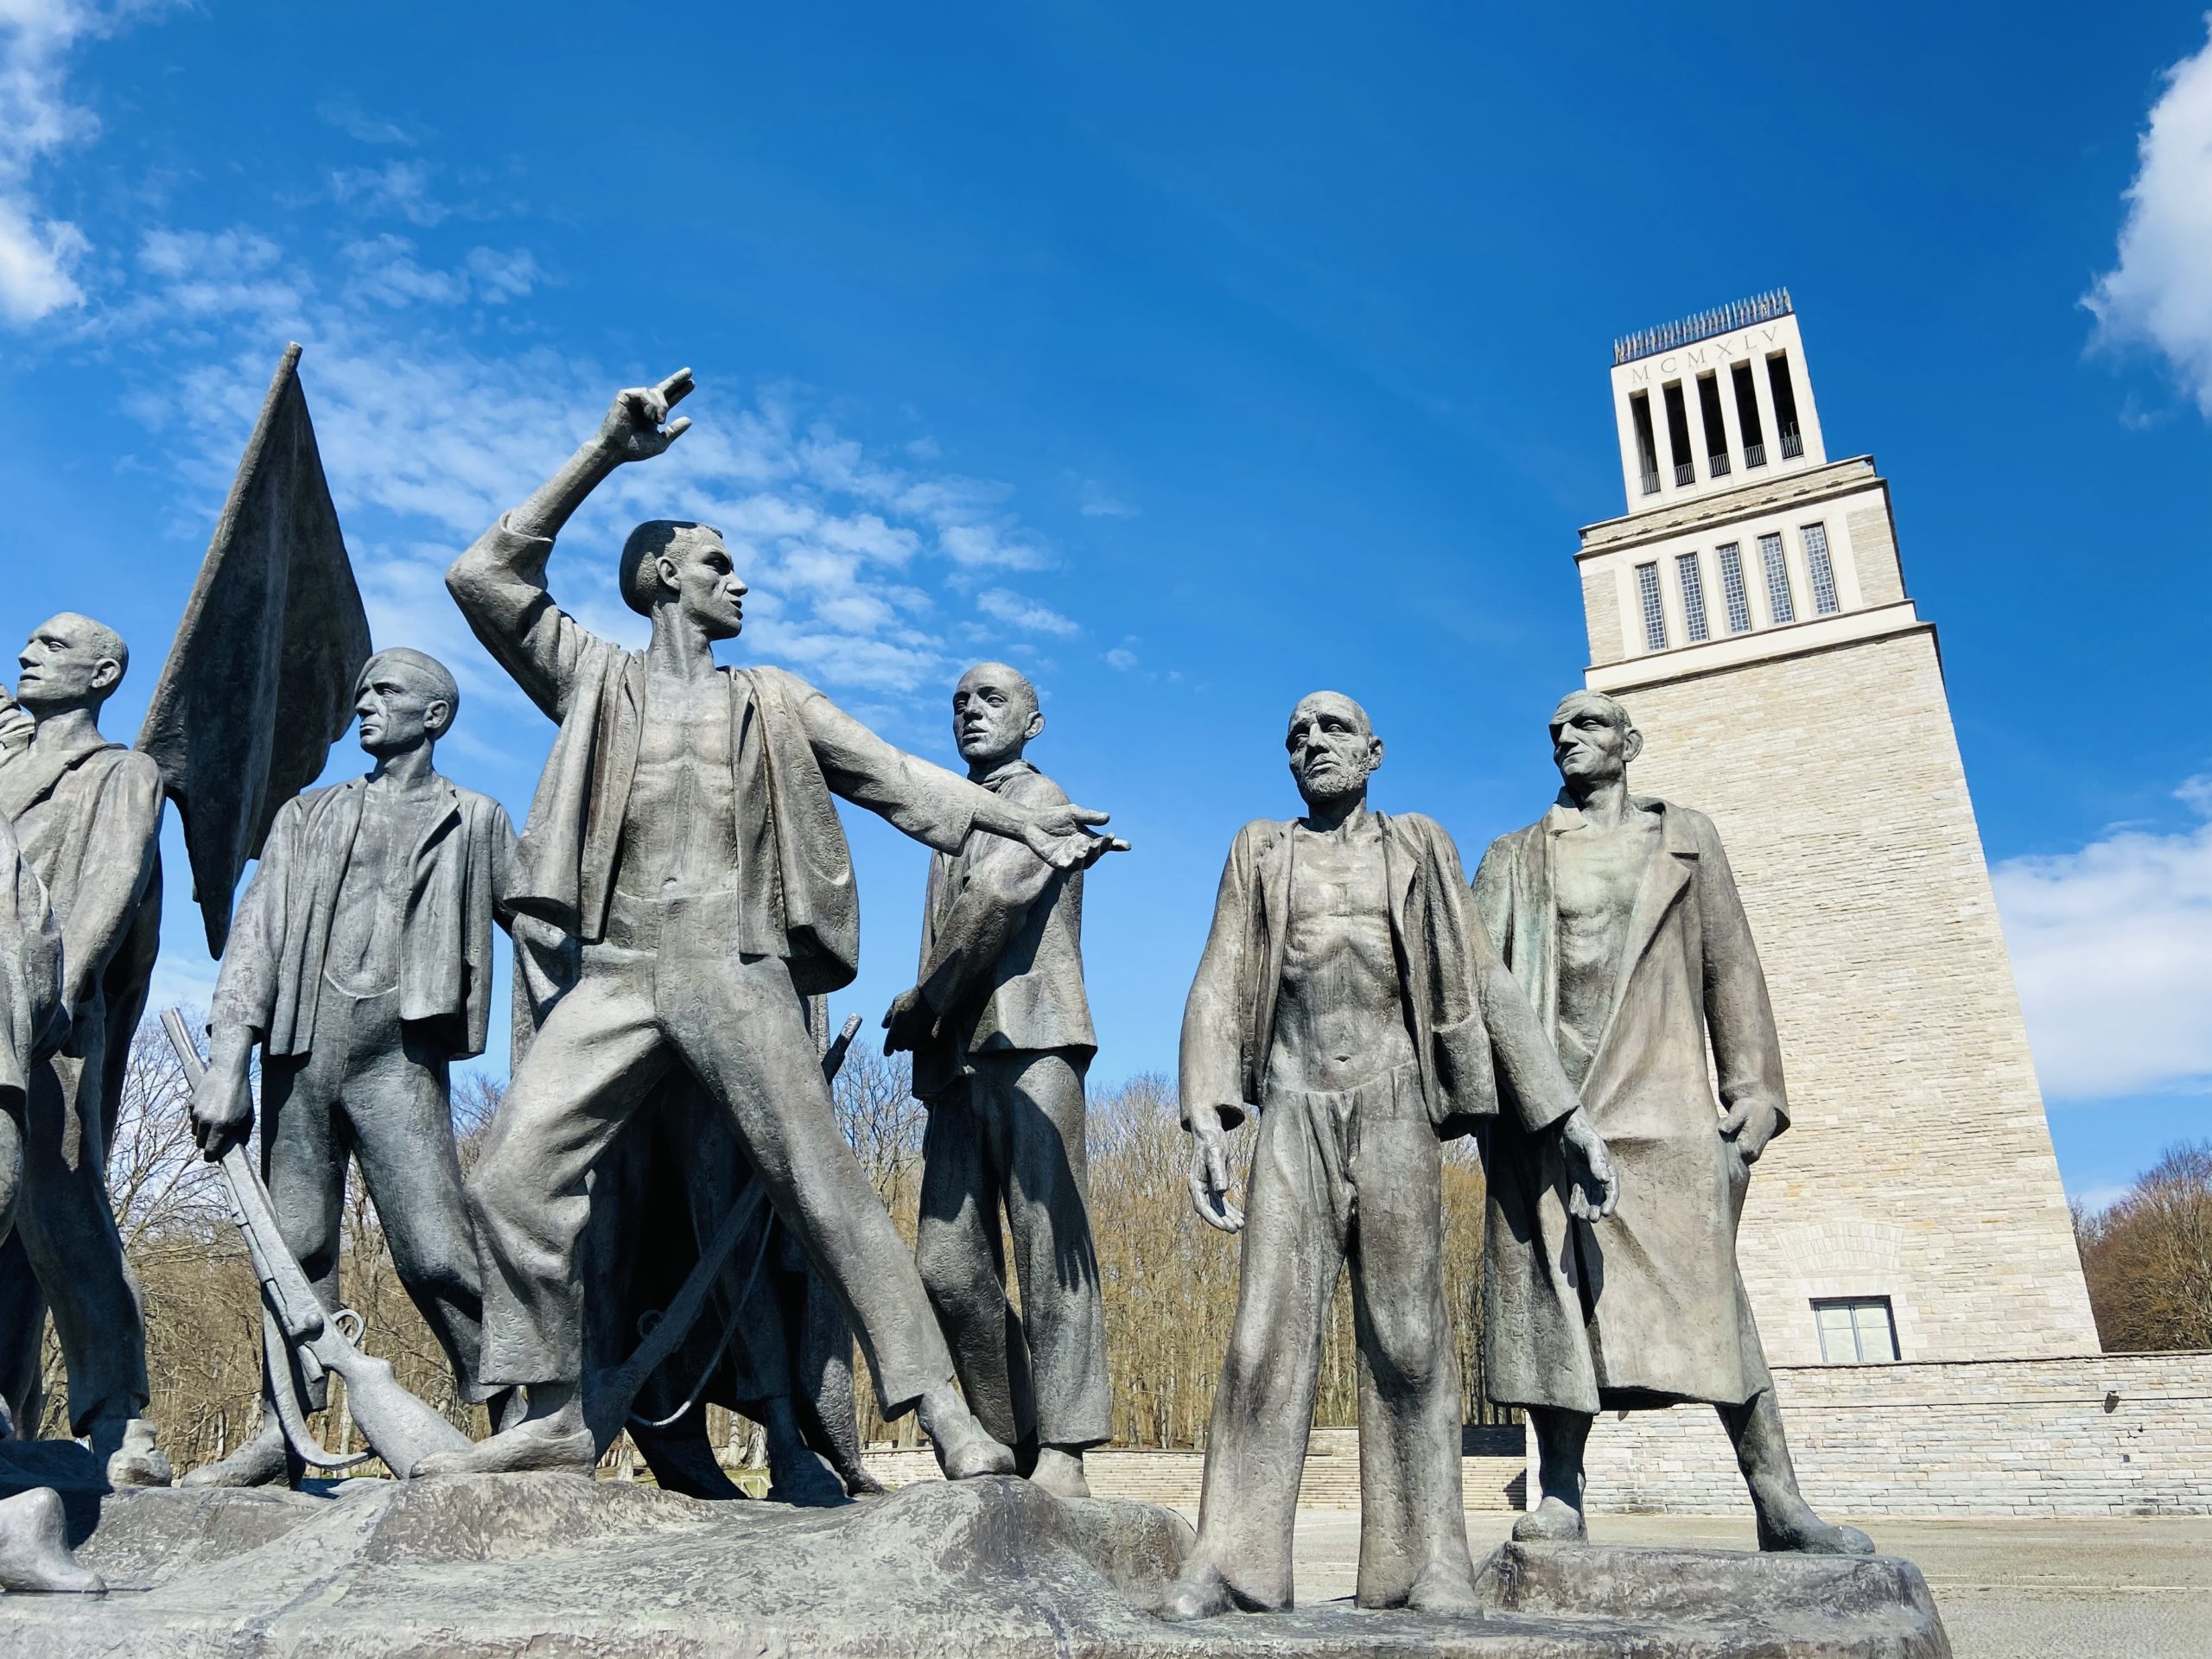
(2114, 954)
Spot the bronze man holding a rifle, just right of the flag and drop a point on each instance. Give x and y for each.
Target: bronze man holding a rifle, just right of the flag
(362, 963)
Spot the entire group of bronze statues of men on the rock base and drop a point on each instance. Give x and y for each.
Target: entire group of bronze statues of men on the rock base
(680, 904)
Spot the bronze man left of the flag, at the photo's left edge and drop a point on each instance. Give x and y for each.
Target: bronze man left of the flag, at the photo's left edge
(87, 815)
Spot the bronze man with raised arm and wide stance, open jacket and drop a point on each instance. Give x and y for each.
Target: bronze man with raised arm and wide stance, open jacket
(685, 833)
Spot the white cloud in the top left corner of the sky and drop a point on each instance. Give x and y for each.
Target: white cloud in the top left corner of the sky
(39, 253)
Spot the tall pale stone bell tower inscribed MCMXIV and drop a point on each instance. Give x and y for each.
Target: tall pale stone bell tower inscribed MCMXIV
(1753, 616)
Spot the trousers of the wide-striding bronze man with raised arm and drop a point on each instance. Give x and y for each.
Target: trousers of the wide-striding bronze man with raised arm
(735, 1023)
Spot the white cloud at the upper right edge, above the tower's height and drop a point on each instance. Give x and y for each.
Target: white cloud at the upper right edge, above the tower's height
(2160, 293)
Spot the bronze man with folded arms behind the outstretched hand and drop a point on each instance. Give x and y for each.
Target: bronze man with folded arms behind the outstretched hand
(1001, 1034)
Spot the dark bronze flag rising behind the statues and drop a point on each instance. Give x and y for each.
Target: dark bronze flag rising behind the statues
(262, 678)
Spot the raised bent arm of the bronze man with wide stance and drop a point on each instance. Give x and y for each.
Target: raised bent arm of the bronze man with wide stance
(501, 583)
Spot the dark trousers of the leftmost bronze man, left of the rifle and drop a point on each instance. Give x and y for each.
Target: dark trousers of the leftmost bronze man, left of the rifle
(70, 1235)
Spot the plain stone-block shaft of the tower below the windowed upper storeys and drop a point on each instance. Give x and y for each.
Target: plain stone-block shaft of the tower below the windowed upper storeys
(1919, 1162)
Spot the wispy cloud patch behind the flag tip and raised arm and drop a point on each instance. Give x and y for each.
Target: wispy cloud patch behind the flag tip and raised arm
(430, 428)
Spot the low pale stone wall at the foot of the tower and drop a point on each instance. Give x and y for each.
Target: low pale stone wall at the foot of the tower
(2116, 1434)
